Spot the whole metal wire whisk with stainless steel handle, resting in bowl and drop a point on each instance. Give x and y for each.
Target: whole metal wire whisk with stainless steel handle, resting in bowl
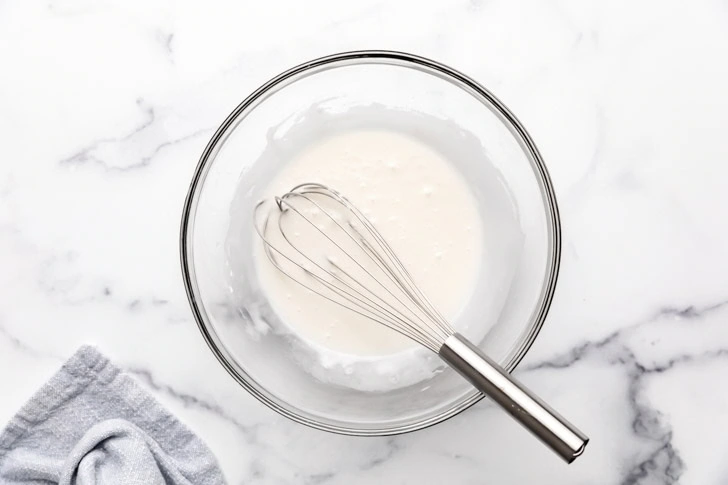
(316, 237)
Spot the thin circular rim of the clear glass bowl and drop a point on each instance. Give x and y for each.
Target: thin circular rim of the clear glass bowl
(401, 59)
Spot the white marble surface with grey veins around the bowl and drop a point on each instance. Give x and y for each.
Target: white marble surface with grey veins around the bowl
(106, 106)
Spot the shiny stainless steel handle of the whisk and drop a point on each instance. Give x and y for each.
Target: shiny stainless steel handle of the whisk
(535, 415)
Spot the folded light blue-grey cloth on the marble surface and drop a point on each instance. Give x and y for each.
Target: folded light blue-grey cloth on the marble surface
(92, 424)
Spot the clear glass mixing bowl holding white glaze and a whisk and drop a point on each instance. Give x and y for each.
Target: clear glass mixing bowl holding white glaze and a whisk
(382, 90)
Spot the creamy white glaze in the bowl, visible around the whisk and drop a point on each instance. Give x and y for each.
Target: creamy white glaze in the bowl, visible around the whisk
(418, 202)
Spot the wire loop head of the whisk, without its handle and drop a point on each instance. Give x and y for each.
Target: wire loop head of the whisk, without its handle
(320, 240)
